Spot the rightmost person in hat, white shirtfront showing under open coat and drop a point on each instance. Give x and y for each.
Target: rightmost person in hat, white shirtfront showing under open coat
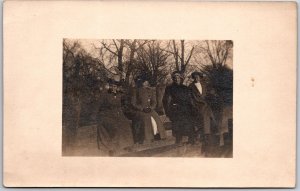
(203, 114)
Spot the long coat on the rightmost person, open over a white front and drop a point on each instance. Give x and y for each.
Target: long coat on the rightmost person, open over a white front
(203, 112)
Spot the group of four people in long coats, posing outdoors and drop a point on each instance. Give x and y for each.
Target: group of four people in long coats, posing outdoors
(185, 106)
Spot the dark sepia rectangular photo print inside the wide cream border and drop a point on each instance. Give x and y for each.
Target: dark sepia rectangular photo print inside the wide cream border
(147, 98)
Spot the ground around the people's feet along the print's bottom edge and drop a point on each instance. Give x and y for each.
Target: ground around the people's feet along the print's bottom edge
(85, 144)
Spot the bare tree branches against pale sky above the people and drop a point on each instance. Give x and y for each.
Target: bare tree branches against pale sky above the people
(156, 58)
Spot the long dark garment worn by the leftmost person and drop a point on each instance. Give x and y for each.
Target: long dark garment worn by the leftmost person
(114, 129)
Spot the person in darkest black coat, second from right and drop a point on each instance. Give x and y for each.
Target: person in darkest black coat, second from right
(178, 107)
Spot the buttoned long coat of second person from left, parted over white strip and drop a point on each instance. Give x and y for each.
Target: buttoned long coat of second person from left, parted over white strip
(145, 97)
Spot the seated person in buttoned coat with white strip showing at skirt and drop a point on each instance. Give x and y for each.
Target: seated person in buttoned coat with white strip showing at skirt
(144, 101)
